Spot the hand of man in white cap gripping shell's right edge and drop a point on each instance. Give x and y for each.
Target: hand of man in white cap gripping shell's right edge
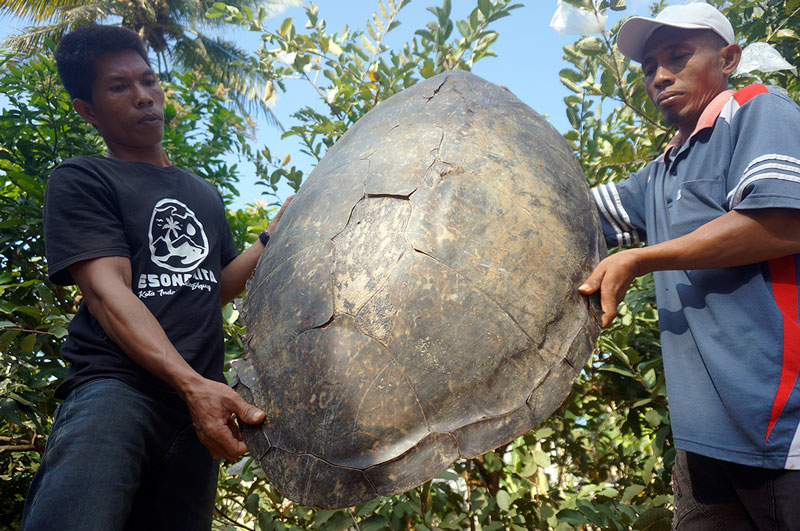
(612, 277)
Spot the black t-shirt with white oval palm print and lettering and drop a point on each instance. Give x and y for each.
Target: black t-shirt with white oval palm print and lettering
(172, 226)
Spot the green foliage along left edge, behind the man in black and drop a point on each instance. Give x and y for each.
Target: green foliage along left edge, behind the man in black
(36, 133)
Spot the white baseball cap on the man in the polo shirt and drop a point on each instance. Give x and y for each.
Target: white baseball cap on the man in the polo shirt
(635, 32)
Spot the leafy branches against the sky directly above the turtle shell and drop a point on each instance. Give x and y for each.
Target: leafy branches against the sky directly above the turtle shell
(351, 71)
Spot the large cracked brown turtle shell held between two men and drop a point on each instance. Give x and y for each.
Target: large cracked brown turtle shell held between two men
(418, 300)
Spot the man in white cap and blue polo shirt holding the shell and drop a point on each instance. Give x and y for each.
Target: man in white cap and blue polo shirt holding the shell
(719, 210)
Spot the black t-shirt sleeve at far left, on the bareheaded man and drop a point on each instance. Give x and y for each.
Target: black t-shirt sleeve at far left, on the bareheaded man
(81, 221)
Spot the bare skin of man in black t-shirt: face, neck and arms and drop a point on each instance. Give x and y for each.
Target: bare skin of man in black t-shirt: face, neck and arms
(127, 108)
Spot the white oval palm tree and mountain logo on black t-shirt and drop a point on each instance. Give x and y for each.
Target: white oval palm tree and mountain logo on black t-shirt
(177, 239)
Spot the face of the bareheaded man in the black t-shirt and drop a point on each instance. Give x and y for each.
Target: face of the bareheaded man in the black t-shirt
(127, 102)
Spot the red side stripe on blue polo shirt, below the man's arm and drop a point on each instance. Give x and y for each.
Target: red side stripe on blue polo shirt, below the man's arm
(783, 273)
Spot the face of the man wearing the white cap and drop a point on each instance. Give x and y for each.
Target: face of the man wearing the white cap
(684, 70)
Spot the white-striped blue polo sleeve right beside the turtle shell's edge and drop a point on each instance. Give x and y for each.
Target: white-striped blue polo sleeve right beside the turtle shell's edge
(622, 209)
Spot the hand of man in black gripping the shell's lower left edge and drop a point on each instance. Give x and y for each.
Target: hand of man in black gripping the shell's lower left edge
(212, 405)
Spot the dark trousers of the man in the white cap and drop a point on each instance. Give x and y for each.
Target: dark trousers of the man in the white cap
(718, 495)
